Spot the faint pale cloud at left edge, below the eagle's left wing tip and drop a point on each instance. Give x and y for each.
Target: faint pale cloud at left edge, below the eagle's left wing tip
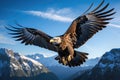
(5, 40)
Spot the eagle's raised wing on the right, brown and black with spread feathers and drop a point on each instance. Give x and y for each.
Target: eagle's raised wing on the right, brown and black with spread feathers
(85, 26)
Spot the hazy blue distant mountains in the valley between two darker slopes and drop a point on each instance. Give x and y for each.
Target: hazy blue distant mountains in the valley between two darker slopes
(59, 69)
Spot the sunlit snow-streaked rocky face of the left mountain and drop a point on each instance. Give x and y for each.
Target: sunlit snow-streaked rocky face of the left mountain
(27, 63)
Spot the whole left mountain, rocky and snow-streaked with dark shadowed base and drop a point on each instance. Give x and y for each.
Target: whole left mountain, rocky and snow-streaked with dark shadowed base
(18, 67)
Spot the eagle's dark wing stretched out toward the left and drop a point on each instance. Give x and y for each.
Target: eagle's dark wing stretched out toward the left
(30, 36)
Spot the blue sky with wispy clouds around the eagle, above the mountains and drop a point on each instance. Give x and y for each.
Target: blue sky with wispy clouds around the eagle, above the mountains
(54, 17)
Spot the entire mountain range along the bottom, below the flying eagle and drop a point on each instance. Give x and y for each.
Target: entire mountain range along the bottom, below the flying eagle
(14, 66)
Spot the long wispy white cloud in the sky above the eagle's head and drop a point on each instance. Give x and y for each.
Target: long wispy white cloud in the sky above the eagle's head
(62, 15)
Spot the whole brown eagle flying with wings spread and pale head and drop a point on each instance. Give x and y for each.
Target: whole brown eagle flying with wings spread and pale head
(80, 30)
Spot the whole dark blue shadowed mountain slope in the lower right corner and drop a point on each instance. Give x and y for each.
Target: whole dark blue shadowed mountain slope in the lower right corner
(108, 68)
